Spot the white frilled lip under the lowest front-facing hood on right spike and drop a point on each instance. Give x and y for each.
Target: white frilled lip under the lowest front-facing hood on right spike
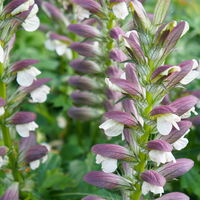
(147, 187)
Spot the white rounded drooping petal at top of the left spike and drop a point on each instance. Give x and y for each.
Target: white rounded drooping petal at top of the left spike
(32, 22)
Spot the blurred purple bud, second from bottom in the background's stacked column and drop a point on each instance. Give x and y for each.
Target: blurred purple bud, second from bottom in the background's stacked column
(85, 98)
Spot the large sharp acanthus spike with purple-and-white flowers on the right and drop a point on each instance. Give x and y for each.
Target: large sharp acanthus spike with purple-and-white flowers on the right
(151, 127)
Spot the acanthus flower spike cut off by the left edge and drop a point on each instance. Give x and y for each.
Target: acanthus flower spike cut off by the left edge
(17, 81)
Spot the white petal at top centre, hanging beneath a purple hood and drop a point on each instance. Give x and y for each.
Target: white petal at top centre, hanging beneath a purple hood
(120, 10)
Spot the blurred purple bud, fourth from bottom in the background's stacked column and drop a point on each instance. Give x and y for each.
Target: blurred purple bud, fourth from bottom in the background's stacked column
(85, 66)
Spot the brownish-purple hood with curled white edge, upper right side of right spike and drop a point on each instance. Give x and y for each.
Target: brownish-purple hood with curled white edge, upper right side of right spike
(164, 71)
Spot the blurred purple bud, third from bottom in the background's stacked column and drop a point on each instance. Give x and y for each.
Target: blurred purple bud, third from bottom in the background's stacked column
(83, 83)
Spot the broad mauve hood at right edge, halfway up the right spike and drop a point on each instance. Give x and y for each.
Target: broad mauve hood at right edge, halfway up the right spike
(184, 104)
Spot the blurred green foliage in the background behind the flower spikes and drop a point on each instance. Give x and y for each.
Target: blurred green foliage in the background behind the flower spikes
(61, 177)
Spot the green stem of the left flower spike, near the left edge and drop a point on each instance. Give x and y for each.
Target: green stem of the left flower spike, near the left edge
(6, 133)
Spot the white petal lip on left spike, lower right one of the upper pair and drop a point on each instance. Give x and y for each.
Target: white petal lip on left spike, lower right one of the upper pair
(39, 95)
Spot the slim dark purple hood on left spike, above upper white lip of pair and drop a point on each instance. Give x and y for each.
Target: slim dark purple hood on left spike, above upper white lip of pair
(20, 65)
